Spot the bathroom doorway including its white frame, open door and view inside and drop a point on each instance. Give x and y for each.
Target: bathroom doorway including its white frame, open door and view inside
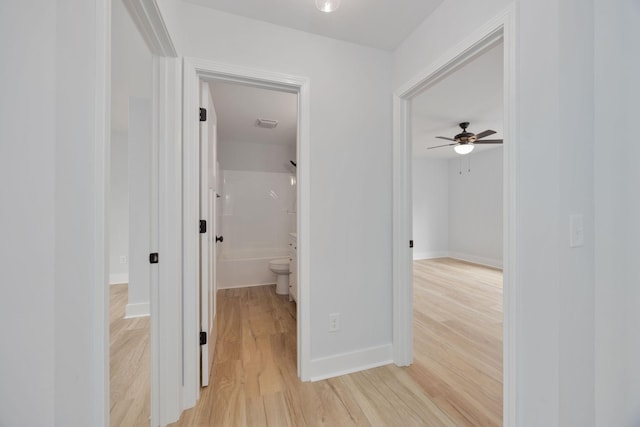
(259, 220)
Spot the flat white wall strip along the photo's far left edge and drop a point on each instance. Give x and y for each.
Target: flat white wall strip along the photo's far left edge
(27, 225)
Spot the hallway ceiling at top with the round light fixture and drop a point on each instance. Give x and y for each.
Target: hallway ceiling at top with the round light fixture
(382, 24)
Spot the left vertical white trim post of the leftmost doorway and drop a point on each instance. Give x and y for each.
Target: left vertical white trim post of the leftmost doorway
(101, 165)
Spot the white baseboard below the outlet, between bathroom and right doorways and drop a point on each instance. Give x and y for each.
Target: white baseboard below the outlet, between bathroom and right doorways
(348, 363)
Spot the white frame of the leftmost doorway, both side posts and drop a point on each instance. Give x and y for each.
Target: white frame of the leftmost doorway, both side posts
(165, 292)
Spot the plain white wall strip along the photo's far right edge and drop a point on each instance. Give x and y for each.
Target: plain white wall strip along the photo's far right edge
(617, 294)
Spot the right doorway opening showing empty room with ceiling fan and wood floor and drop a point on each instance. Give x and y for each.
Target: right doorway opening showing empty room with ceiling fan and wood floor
(458, 239)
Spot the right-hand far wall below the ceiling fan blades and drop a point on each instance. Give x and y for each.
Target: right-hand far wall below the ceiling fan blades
(475, 207)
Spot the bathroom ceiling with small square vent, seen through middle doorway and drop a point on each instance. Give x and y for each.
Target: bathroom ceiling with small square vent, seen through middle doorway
(238, 107)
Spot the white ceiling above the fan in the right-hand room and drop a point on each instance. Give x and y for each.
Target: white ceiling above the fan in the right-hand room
(473, 93)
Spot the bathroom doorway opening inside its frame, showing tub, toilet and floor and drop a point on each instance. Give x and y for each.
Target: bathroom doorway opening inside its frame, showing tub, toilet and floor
(255, 226)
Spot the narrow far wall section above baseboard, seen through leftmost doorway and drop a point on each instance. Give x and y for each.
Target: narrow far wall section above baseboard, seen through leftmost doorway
(119, 209)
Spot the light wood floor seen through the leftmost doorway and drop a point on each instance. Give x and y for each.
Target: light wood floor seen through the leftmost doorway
(129, 364)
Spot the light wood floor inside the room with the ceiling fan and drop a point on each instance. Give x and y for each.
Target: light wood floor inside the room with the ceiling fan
(458, 339)
